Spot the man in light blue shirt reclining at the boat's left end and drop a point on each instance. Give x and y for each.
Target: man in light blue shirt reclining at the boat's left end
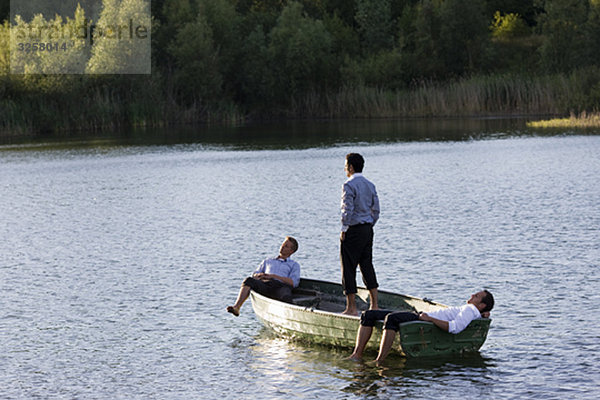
(274, 277)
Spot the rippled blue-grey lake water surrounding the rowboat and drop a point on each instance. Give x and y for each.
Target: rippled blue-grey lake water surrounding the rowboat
(118, 256)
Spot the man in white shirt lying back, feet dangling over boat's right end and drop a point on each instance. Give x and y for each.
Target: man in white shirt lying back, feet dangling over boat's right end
(452, 319)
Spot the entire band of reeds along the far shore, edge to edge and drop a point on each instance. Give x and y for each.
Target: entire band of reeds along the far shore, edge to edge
(35, 105)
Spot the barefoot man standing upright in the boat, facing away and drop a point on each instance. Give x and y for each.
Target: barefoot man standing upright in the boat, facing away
(360, 211)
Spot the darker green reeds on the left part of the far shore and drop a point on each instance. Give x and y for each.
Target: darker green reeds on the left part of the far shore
(99, 105)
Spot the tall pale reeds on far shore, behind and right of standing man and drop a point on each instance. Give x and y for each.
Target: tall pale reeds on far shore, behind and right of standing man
(477, 96)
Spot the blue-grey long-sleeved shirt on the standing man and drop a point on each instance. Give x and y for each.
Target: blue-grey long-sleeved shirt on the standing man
(360, 203)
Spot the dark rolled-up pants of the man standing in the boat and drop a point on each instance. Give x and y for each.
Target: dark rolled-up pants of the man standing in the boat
(357, 249)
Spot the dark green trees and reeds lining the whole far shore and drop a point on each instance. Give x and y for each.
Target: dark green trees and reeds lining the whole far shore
(232, 60)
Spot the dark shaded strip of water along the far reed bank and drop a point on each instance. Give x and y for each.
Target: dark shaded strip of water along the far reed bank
(295, 134)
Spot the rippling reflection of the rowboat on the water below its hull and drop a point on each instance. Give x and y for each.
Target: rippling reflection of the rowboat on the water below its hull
(365, 379)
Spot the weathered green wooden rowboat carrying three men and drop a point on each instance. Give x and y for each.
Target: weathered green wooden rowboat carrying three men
(315, 316)
